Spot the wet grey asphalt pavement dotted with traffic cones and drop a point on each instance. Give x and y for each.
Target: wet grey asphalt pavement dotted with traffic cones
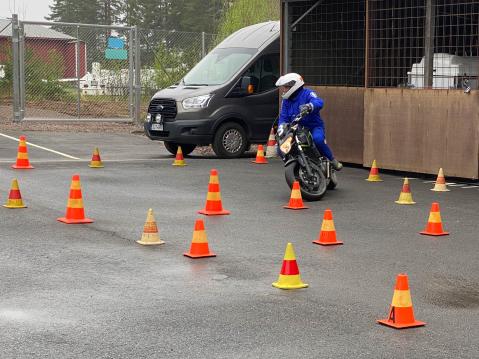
(90, 291)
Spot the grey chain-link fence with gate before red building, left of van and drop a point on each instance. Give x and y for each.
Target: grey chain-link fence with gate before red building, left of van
(81, 71)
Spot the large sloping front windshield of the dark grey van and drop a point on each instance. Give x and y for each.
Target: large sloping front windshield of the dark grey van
(218, 66)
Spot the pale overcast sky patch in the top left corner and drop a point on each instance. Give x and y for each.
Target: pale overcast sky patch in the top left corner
(35, 10)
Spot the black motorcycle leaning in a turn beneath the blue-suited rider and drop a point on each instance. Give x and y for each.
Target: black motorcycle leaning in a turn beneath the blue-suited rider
(303, 161)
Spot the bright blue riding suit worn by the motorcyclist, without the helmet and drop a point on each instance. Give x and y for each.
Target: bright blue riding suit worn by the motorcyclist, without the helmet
(313, 121)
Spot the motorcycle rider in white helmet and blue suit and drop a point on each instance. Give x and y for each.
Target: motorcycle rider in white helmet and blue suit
(297, 99)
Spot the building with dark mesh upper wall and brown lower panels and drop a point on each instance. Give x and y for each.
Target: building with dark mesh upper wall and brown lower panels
(399, 78)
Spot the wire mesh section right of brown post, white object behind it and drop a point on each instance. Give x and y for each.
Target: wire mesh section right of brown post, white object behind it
(400, 49)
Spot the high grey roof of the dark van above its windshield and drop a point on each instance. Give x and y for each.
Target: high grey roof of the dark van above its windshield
(254, 36)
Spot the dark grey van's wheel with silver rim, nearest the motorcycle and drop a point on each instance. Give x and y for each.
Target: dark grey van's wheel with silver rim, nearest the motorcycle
(230, 140)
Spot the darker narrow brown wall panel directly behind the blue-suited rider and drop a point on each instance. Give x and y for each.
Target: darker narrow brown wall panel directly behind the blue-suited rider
(343, 114)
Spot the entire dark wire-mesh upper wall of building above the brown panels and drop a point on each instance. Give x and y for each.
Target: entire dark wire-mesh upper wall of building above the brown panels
(385, 43)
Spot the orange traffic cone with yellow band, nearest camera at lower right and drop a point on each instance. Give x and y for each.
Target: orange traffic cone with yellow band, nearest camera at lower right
(401, 314)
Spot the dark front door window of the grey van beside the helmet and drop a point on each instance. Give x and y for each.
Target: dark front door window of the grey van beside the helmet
(264, 73)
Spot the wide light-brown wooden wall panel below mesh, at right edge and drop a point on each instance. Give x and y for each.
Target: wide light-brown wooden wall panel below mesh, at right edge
(422, 130)
